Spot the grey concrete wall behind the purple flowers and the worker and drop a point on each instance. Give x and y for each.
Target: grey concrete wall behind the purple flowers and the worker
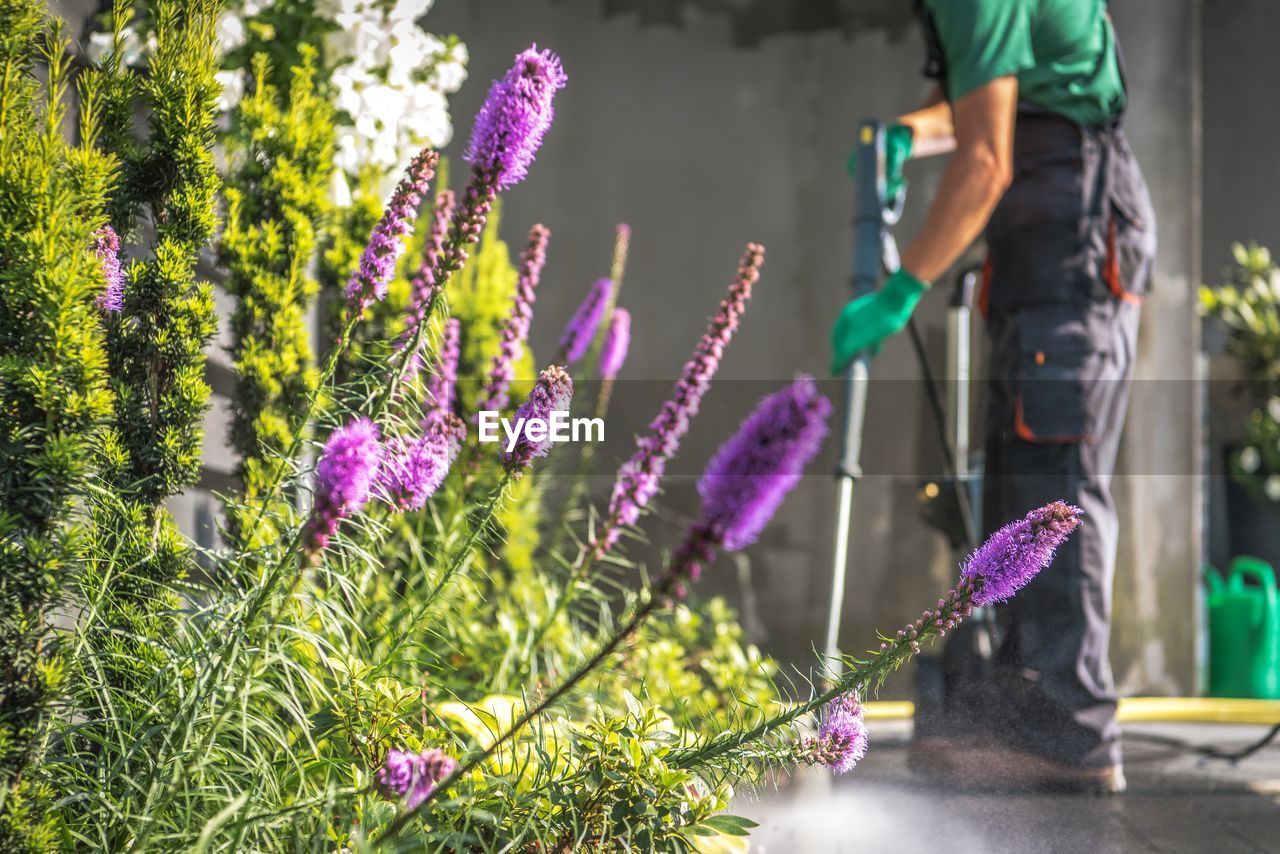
(702, 147)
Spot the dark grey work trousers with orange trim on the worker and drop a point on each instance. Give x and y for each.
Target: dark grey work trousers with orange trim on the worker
(1071, 252)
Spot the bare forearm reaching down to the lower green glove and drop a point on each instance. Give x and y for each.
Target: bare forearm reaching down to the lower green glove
(971, 190)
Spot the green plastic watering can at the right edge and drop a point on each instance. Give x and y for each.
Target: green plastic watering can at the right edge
(1245, 631)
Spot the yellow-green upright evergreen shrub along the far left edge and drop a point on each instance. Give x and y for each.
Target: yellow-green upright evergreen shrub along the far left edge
(53, 390)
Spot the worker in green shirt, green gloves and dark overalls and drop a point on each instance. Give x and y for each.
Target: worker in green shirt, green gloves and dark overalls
(1030, 98)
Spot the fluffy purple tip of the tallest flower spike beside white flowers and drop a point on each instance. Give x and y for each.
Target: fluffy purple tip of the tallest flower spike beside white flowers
(515, 117)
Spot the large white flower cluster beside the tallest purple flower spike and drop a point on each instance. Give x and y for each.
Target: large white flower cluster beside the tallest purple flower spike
(392, 80)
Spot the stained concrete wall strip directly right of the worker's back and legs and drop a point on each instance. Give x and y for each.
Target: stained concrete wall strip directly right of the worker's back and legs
(1159, 487)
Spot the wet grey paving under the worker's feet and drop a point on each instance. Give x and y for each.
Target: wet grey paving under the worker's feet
(1178, 801)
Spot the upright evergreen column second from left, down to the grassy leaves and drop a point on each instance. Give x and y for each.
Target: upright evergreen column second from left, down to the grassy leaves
(158, 349)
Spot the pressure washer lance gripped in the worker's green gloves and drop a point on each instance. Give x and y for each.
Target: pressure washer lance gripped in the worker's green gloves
(875, 252)
